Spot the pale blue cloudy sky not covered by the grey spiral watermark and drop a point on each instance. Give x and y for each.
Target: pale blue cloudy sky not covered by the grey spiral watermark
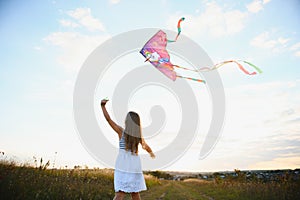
(45, 43)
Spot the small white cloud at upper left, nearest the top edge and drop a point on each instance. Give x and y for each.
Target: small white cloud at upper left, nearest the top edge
(84, 17)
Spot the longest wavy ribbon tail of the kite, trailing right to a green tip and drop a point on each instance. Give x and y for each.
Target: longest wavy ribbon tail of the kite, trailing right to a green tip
(216, 66)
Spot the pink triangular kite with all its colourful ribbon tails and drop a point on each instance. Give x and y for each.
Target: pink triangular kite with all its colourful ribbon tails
(155, 51)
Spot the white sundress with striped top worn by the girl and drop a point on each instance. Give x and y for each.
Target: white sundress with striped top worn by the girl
(128, 176)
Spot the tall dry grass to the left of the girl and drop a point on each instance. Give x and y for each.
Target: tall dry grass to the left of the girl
(35, 183)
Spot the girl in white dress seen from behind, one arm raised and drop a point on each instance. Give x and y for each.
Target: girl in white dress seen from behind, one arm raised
(128, 175)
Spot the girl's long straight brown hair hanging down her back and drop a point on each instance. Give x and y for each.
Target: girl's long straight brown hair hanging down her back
(132, 132)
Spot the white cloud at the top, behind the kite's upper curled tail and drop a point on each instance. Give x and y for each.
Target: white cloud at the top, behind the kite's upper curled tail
(215, 21)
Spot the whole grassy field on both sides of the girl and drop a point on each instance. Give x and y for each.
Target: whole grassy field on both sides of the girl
(40, 183)
